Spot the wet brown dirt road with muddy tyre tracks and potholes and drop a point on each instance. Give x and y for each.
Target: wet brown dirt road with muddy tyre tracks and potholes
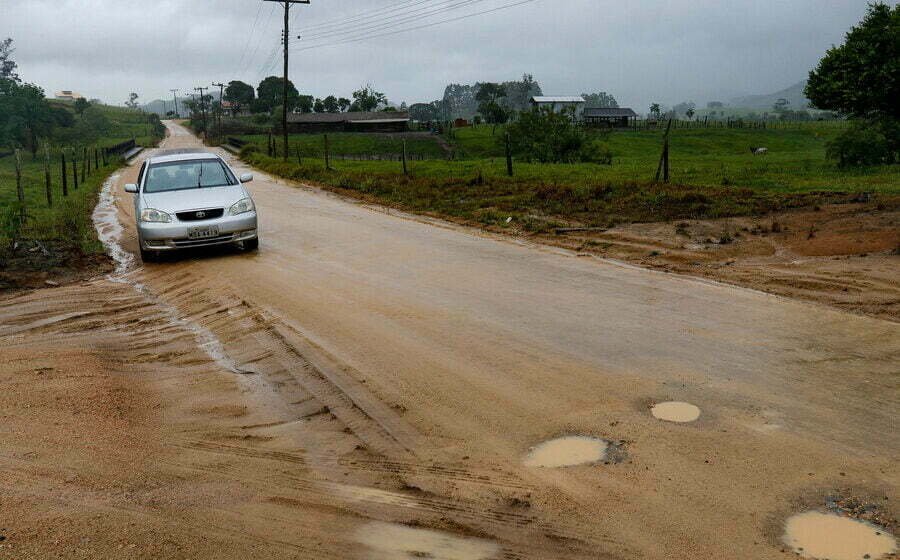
(370, 384)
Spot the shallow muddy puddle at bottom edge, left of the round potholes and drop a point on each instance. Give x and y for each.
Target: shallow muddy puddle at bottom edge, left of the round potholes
(390, 541)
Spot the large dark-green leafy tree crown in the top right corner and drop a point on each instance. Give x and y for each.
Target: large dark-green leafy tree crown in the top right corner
(861, 78)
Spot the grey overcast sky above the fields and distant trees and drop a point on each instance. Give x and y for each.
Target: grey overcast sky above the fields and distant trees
(640, 51)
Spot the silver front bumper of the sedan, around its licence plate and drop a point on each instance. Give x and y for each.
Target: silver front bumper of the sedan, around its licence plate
(174, 235)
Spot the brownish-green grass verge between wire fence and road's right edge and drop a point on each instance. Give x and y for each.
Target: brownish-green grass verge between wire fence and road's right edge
(532, 200)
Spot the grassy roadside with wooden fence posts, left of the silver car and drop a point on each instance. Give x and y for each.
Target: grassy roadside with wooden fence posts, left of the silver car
(55, 240)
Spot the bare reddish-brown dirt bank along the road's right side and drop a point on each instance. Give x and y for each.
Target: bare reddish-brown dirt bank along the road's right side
(843, 255)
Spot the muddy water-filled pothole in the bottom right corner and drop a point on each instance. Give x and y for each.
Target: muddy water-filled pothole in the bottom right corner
(818, 535)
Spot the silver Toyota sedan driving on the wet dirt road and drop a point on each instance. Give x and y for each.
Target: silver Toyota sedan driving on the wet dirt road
(190, 199)
